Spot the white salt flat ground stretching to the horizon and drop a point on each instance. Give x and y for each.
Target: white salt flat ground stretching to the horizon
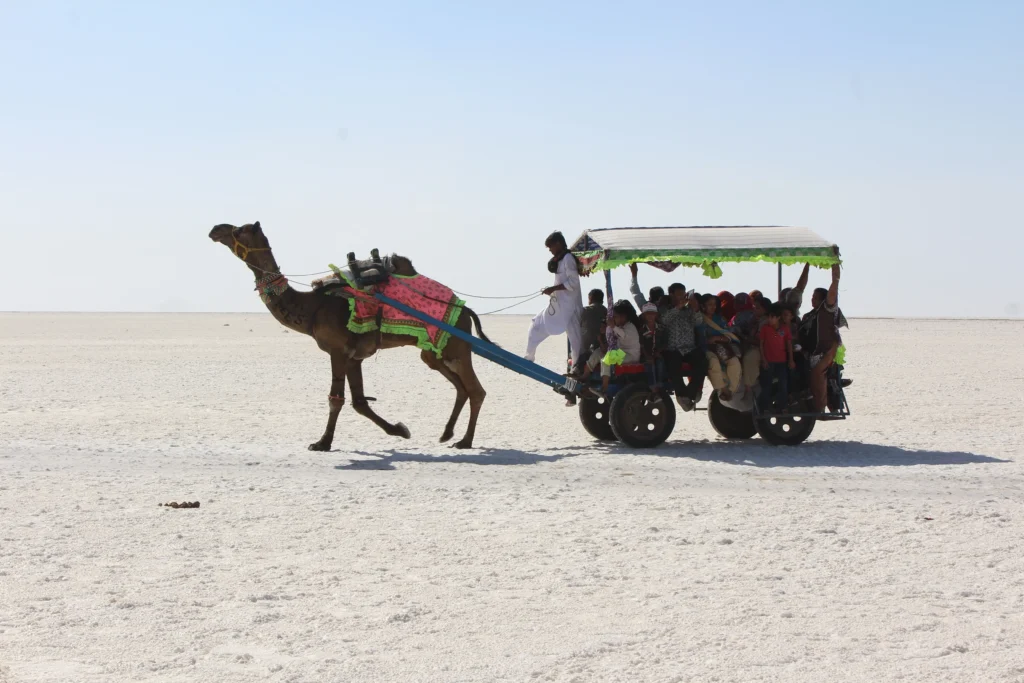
(541, 557)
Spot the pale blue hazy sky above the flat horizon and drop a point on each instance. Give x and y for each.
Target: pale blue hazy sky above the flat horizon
(460, 135)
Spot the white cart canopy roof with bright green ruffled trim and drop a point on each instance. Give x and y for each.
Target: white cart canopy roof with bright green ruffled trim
(702, 246)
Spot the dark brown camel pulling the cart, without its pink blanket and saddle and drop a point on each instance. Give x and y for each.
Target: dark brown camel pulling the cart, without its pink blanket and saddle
(325, 319)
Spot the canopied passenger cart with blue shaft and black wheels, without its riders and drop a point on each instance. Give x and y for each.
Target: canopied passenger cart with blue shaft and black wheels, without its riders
(638, 409)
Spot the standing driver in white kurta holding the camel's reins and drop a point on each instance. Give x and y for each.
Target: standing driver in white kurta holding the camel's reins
(566, 308)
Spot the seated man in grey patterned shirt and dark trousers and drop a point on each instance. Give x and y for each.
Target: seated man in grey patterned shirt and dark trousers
(681, 324)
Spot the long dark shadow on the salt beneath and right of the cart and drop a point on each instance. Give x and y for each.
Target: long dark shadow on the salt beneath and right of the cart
(818, 454)
